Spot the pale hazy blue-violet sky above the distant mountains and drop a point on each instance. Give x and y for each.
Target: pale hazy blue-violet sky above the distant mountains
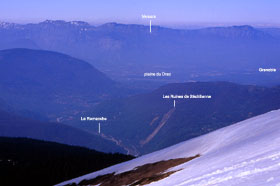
(129, 11)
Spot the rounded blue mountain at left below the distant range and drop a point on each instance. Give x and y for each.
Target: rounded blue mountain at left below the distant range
(48, 81)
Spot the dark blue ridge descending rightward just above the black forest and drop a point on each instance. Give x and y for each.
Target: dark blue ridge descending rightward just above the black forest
(12, 125)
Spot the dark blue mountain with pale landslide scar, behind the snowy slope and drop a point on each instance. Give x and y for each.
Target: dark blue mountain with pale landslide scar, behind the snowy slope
(147, 122)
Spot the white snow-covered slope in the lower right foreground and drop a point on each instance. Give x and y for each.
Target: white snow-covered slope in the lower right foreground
(244, 154)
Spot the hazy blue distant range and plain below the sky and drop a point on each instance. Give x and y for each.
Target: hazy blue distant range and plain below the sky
(125, 52)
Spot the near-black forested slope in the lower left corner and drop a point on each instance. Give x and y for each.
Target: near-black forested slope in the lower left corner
(31, 162)
